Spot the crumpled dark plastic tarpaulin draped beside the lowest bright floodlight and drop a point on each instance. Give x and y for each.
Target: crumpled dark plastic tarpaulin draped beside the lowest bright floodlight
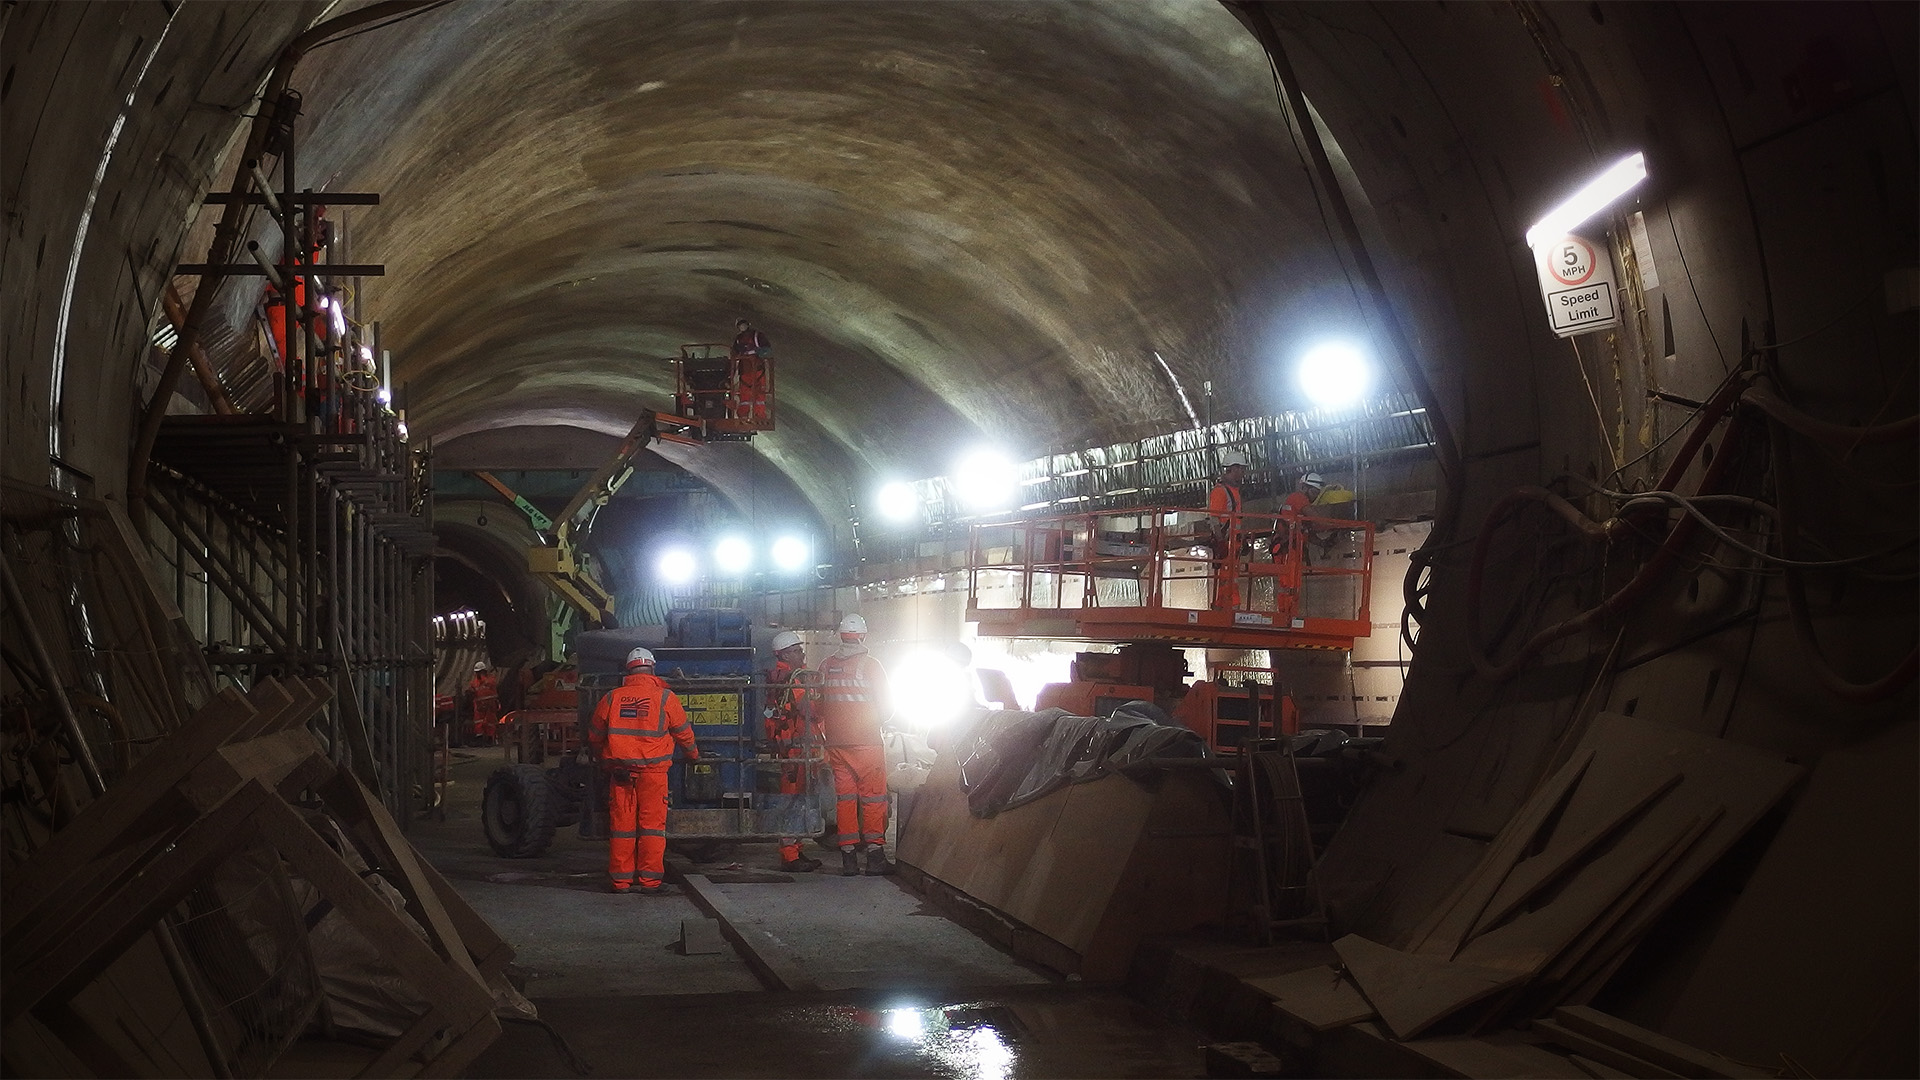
(1013, 758)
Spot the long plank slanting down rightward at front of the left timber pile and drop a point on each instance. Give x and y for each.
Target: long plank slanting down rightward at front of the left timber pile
(387, 929)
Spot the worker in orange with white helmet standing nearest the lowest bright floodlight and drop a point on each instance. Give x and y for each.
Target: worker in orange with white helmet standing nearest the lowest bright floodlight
(853, 702)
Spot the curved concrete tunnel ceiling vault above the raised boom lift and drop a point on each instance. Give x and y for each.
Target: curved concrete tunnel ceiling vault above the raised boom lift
(959, 224)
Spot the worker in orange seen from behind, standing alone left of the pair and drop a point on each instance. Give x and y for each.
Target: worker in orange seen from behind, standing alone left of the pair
(633, 735)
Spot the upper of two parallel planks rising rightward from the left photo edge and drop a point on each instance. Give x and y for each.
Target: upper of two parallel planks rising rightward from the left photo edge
(126, 808)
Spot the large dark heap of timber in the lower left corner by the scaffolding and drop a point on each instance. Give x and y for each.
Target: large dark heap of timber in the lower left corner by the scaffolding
(195, 883)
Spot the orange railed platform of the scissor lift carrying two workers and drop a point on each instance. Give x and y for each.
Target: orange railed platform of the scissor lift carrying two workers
(1259, 581)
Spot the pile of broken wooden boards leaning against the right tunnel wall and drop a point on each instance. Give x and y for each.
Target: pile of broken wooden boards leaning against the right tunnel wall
(1589, 864)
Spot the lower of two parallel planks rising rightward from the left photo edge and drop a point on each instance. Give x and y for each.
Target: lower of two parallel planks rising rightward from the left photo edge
(112, 923)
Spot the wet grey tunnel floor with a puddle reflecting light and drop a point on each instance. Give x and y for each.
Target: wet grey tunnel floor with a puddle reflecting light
(903, 991)
